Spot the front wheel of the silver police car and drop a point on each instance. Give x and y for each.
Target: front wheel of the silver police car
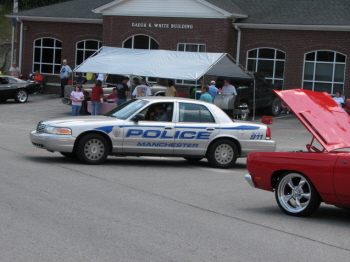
(92, 149)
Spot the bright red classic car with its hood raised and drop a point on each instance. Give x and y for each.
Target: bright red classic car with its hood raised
(302, 180)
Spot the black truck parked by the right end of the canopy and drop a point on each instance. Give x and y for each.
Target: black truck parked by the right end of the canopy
(265, 99)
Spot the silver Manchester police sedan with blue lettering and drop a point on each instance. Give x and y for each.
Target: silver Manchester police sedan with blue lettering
(187, 128)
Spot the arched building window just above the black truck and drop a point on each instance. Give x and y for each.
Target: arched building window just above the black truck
(268, 62)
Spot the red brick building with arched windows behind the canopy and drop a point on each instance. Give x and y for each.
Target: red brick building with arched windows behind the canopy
(296, 44)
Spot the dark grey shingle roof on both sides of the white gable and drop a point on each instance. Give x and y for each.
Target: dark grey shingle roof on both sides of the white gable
(268, 12)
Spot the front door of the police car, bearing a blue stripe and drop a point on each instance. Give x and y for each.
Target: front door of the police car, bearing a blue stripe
(150, 136)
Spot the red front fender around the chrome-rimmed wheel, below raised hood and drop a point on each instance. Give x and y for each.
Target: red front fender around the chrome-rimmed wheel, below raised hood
(265, 167)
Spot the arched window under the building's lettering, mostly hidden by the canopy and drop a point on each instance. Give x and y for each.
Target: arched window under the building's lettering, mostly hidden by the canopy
(142, 42)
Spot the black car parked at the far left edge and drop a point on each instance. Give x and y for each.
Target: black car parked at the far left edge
(17, 89)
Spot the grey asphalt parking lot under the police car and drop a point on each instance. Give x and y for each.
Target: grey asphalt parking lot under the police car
(148, 209)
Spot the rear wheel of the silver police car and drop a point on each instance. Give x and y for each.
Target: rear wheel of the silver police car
(222, 154)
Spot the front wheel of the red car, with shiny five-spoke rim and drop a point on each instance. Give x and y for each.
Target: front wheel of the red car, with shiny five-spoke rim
(296, 195)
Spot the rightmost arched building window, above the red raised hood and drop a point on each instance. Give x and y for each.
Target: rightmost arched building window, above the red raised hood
(324, 71)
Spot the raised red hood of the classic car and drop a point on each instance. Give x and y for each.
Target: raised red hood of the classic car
(321, 115)
